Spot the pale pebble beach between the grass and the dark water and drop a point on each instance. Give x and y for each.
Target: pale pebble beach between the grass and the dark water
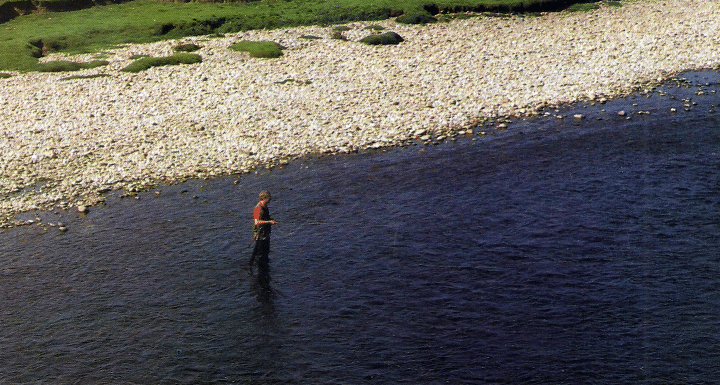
(68, 143)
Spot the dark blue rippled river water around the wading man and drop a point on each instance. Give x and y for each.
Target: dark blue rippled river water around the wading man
(555, 252)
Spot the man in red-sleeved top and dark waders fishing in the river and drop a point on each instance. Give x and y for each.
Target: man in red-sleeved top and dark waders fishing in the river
(262, 225)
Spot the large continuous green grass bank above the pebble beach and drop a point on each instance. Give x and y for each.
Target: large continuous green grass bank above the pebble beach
(26, 38)
